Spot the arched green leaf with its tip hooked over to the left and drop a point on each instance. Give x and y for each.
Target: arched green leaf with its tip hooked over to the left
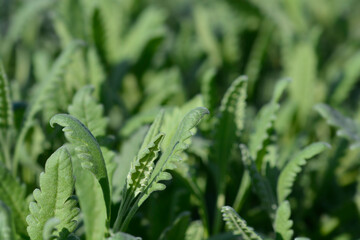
(87, 150)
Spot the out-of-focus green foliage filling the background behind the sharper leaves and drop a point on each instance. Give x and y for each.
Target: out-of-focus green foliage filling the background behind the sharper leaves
(144, 55)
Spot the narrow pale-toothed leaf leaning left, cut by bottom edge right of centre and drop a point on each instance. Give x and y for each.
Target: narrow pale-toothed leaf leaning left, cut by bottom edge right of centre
(237, 225)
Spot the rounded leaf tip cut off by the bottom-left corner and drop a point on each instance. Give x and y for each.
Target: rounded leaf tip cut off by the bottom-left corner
(7, 227)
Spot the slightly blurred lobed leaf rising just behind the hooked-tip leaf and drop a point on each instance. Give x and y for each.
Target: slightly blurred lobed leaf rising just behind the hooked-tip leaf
(86, 109)
